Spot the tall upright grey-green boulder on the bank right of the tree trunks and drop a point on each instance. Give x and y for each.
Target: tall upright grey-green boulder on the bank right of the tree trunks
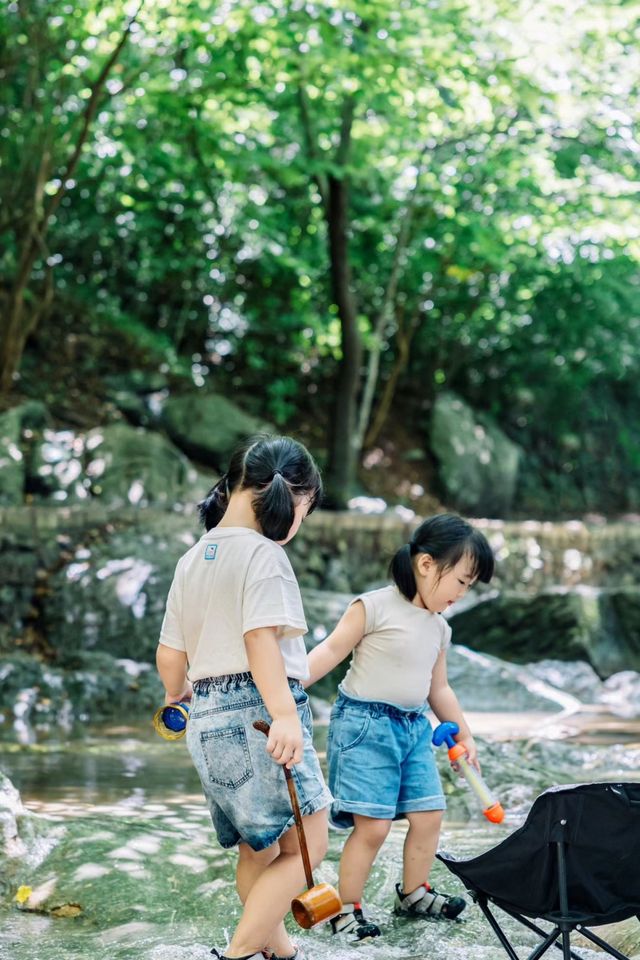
(477, 463)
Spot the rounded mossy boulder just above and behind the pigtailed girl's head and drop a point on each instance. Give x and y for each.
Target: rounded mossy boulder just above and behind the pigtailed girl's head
(208, 427)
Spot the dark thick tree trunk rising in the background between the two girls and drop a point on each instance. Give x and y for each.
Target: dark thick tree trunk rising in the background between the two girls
(344, 450)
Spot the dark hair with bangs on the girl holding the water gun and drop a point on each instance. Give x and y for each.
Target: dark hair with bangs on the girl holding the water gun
(447, 538)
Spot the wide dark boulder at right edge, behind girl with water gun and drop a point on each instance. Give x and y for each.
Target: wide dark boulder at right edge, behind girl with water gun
(584, 623)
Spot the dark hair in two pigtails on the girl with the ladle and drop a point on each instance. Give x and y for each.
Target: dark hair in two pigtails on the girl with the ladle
(278, 469)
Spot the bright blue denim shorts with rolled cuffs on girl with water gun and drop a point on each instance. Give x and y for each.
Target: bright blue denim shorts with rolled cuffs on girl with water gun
(381, 761)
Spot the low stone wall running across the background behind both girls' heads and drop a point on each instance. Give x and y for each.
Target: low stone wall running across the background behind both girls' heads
(347, 552)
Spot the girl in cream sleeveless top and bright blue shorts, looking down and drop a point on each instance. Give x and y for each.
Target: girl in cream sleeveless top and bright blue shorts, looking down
(380, 758)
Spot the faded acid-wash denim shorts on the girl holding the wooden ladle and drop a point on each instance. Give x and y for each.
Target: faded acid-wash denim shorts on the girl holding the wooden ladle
(245, 789)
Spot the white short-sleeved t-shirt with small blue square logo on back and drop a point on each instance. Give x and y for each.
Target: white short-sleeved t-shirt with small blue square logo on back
(232, 581)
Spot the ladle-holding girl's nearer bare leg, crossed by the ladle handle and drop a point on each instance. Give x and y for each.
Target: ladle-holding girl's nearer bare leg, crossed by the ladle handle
(269, 897)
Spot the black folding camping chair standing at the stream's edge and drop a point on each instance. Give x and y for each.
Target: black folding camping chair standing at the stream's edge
(575, 863)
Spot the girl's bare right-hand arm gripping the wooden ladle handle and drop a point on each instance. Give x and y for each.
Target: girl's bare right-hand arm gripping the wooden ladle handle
(285, 743)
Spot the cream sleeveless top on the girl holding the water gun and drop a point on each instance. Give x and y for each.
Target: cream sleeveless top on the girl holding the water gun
(394, 660)
